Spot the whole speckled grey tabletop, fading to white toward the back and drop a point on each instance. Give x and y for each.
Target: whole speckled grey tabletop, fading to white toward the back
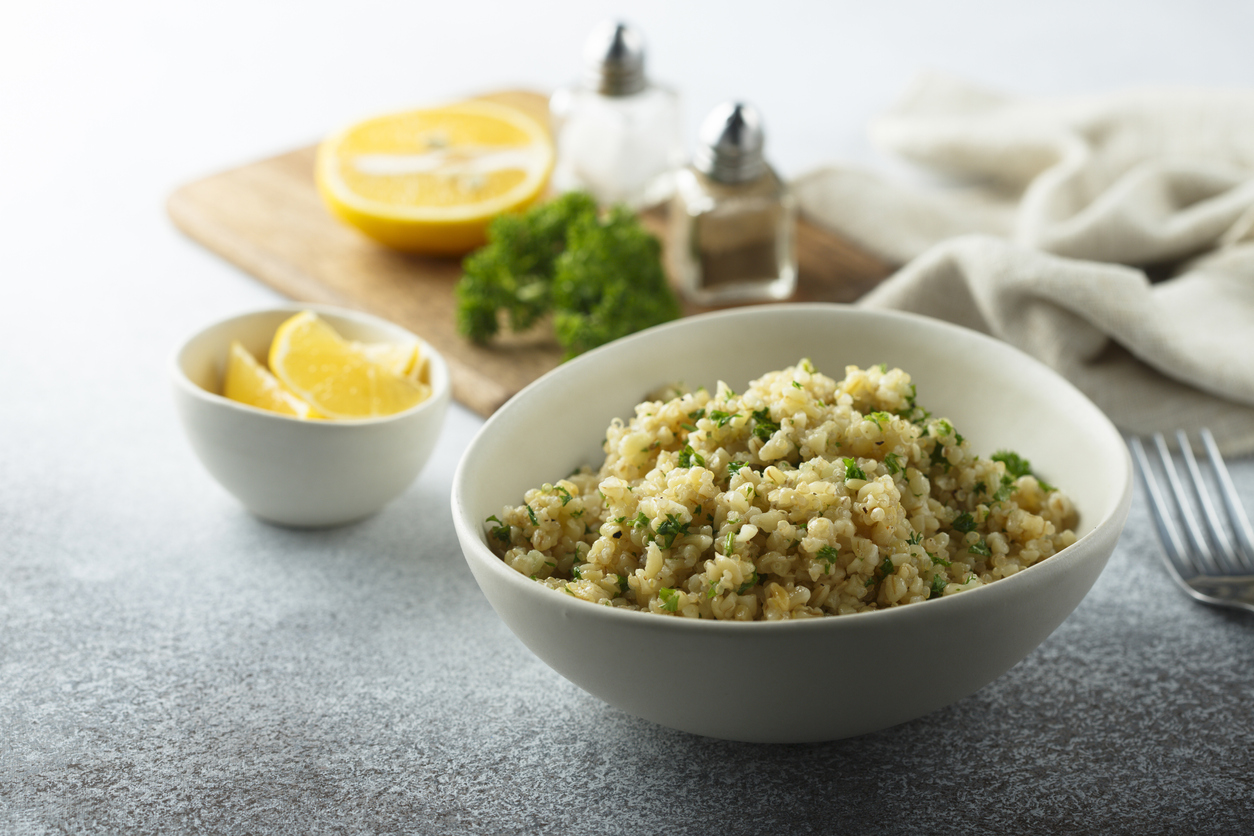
(170, 665)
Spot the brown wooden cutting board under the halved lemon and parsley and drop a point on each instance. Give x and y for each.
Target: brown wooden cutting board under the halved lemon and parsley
(268, 220)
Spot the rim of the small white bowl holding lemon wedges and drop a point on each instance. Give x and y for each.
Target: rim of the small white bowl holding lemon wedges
(441, 379)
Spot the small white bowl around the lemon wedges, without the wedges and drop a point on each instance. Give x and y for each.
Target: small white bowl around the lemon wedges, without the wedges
(299, 473)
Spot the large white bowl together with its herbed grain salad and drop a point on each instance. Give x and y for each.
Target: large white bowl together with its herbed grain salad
(792, 523)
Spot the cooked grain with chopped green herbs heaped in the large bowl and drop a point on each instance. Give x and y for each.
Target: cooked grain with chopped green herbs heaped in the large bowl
(802, 497)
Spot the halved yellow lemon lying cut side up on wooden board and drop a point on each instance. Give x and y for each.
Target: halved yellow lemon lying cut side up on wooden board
(431, 181)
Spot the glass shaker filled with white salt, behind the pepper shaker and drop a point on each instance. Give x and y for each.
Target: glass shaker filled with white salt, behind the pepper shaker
(619, 136)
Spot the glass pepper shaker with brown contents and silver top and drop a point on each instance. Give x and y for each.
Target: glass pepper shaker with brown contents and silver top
(733, 219)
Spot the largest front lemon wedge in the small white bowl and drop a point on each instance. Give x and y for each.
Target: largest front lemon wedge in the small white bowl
(339, 382)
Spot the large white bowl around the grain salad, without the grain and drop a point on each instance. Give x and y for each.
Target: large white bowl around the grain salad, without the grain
(812, 680)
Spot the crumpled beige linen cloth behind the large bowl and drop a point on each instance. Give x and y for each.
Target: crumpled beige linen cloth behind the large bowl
(1074, 205)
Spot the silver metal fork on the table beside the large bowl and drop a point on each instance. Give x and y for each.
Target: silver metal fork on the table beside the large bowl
(1214, 566)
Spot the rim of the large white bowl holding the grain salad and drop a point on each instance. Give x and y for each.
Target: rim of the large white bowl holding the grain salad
(477, 551)
